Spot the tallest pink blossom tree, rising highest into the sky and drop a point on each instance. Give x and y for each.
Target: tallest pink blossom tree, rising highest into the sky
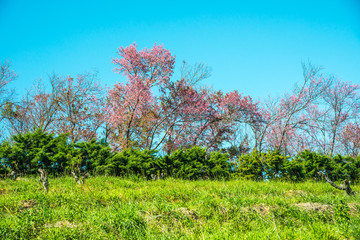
(132, 107)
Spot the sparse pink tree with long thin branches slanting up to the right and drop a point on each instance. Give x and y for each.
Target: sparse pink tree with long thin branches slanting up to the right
(285, 117)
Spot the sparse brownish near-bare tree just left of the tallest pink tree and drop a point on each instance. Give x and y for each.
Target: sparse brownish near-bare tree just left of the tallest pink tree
(79, 103)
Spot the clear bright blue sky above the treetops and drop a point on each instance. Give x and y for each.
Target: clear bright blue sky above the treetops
(255, 46)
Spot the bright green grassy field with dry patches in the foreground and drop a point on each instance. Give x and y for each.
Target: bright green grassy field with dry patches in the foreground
(114, 208)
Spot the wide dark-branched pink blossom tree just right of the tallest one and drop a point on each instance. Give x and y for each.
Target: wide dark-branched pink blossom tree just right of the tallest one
(203, 117)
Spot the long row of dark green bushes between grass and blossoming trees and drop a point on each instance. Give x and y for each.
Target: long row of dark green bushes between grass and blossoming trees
(26, 153)
